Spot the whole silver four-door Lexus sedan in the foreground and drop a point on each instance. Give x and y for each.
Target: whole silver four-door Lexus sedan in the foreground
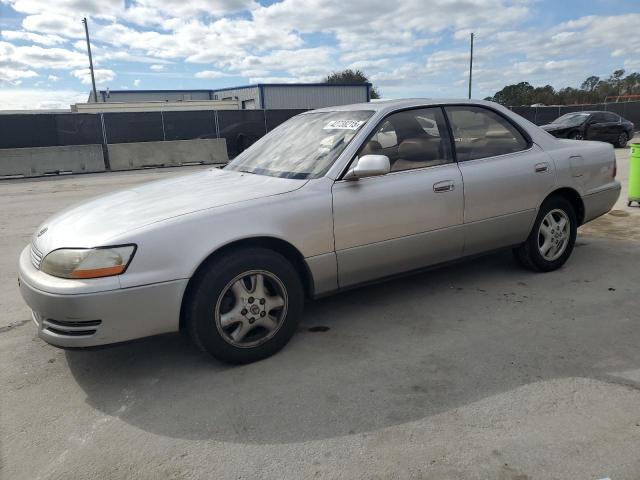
(329, 200)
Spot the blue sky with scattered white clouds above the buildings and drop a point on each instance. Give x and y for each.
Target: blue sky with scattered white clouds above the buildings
(412, 48)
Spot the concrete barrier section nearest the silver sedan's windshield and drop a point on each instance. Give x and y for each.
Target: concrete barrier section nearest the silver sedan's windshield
(127, 156)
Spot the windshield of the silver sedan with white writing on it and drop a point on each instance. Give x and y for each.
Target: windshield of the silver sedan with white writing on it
(303, 147)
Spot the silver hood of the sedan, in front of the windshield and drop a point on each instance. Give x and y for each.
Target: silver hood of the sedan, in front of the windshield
(104, 218)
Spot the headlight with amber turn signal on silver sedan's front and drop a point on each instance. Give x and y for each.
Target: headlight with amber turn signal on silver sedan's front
(88, 262)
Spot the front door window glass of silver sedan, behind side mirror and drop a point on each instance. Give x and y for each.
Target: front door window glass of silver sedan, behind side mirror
(411, 139)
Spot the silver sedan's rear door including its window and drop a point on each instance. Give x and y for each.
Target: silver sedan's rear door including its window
(506, 177)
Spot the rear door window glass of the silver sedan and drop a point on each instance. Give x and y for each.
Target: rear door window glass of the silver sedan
(479, 132)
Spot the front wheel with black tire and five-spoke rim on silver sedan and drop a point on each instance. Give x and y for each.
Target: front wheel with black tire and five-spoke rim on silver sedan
(224, 308)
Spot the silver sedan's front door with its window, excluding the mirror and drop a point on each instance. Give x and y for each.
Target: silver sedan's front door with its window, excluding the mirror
(411, 217)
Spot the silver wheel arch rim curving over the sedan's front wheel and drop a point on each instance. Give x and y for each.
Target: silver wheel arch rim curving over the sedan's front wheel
(275, 244)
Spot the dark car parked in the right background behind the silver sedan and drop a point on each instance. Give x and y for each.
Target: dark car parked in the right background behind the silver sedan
(603, 126)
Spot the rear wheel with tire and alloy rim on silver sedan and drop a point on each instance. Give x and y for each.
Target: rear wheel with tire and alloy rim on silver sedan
(530, 253)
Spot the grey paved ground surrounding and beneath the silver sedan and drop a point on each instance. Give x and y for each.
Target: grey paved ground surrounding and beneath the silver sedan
(481, 370)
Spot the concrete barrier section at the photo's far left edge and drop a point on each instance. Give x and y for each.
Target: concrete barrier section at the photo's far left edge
(32, 162)
